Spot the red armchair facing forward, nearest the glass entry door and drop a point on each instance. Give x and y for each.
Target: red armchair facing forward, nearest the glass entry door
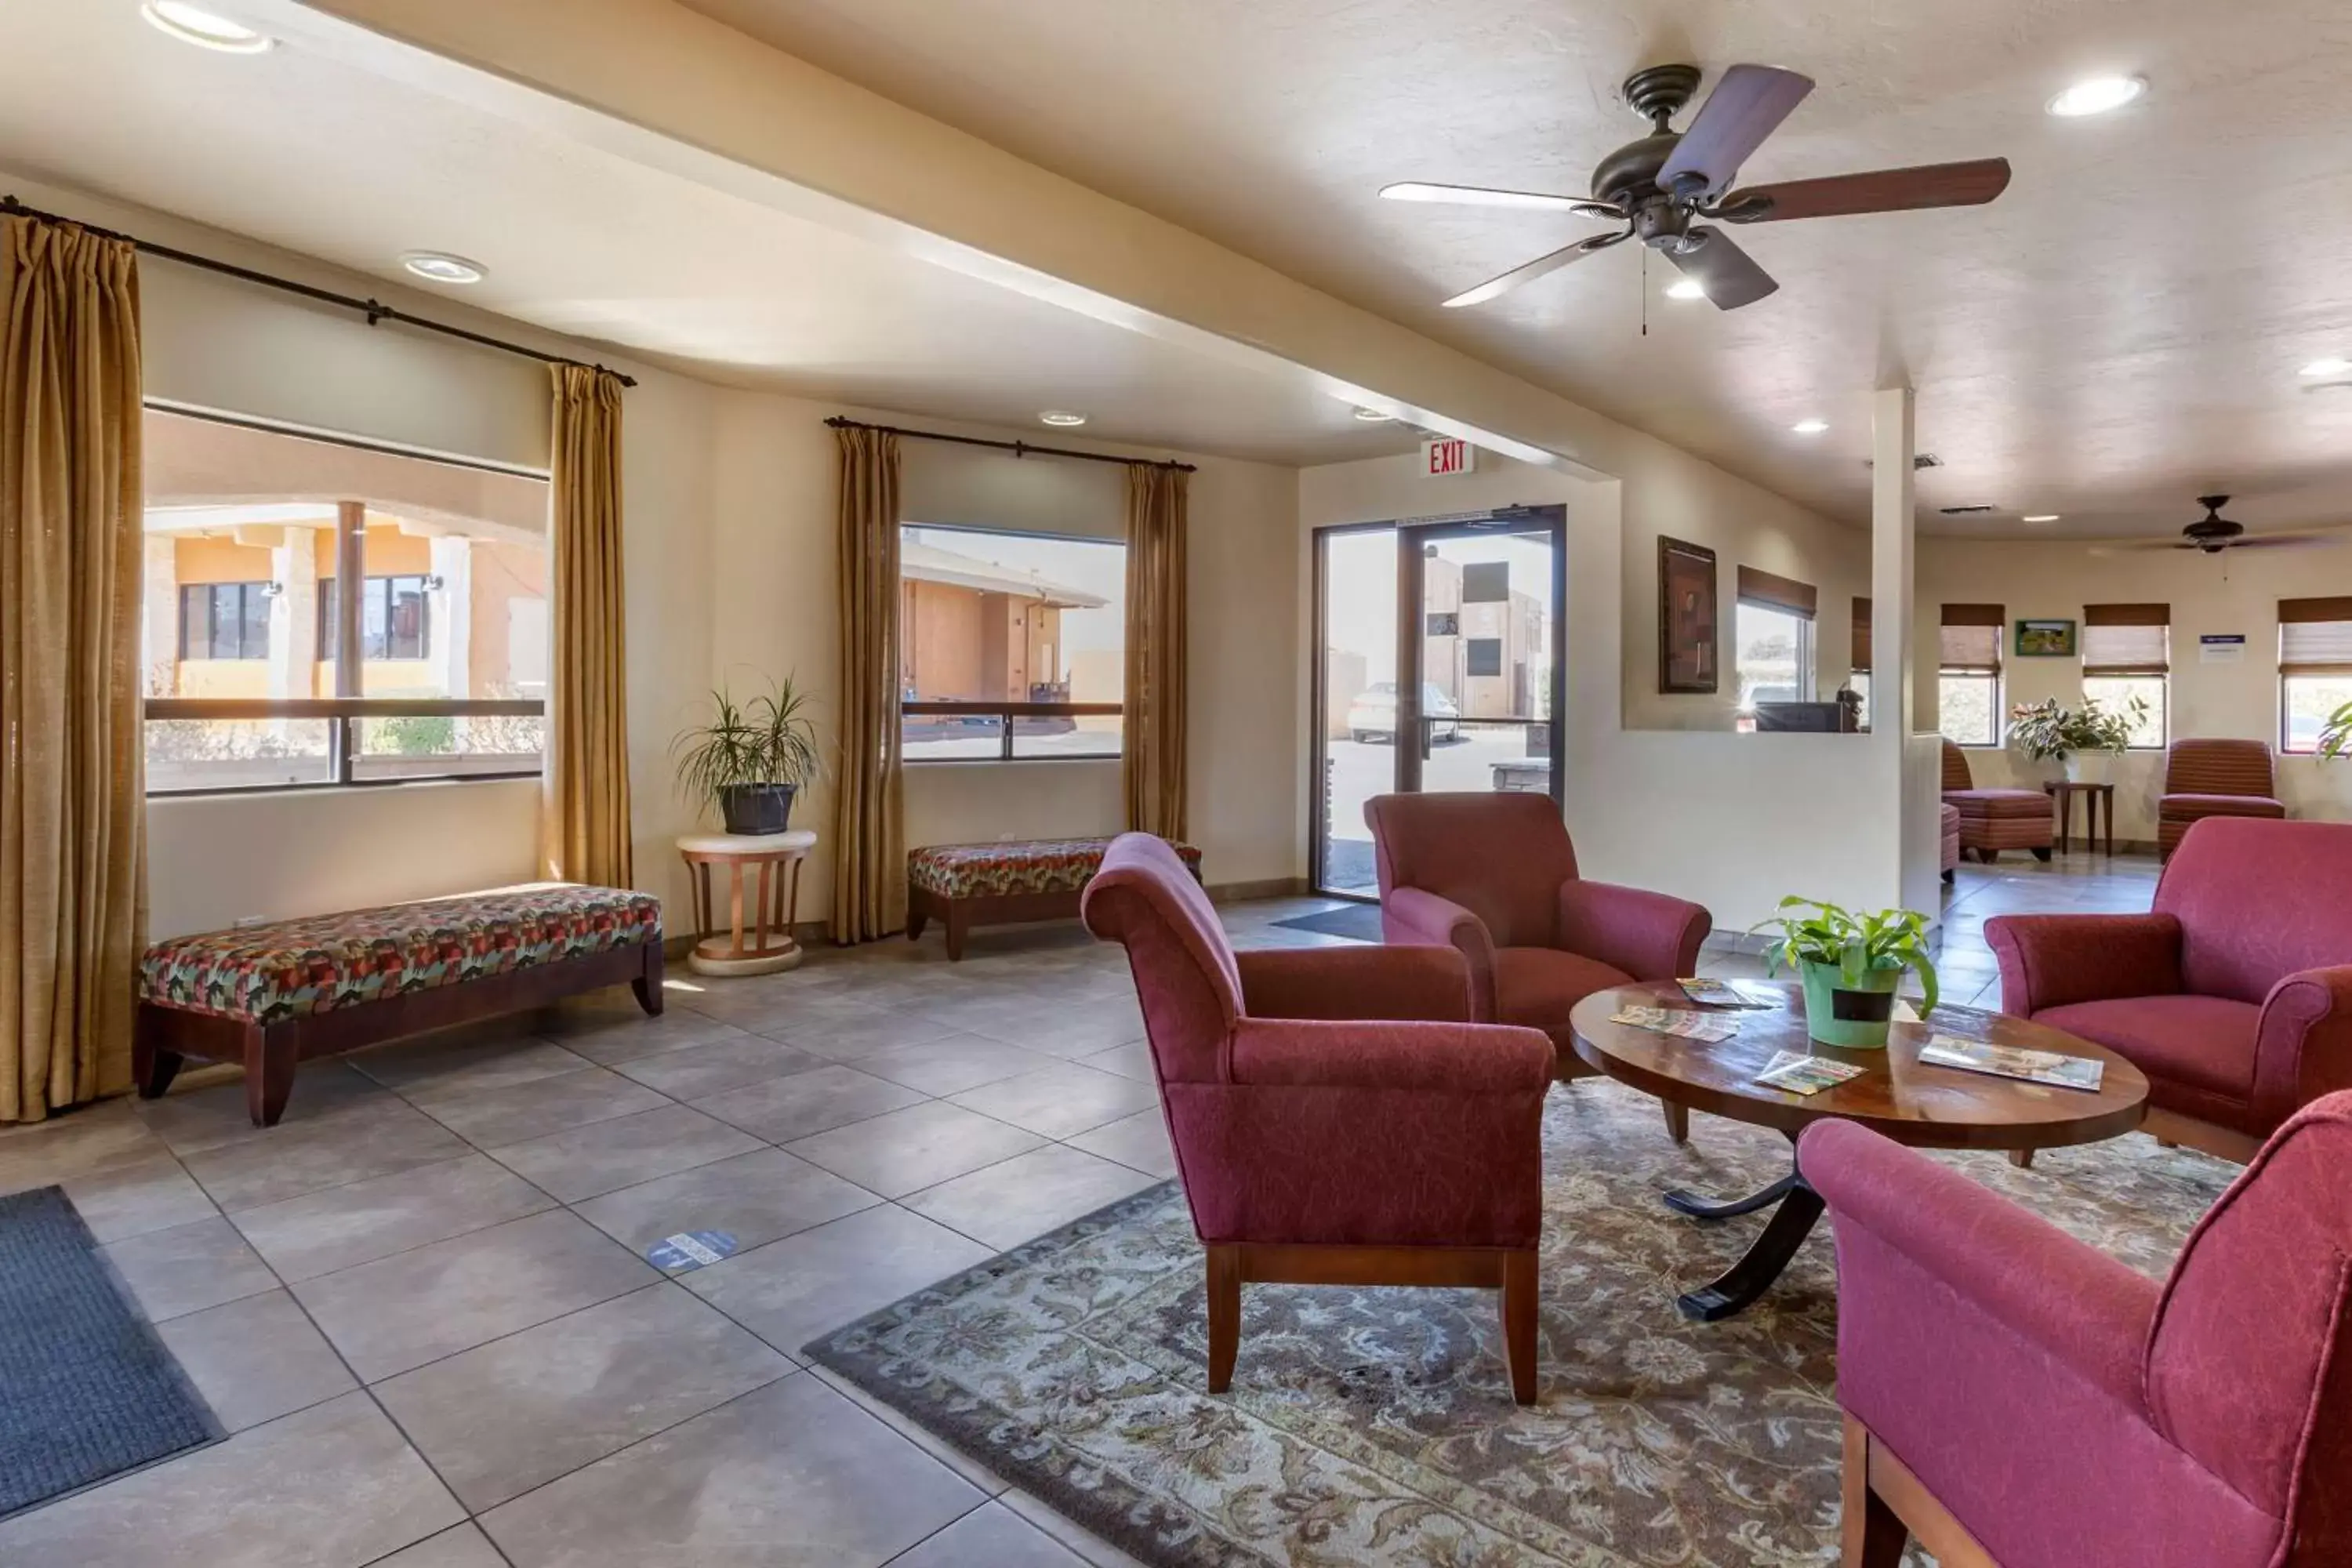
(1495, 878)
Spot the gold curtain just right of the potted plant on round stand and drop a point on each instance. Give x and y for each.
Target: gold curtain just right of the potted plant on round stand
(869, 812)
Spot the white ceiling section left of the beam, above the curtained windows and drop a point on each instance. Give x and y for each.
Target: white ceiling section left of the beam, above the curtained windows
(352, 168)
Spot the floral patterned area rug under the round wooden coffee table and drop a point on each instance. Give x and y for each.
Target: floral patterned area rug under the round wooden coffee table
(1377, 1426)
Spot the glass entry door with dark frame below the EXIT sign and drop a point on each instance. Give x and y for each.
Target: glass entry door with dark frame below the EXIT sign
(1438, 669)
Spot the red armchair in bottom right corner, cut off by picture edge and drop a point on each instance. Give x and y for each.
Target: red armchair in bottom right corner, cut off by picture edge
(2017, 1398)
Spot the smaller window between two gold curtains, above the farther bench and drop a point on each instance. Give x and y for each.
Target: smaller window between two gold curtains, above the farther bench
(1013, 648)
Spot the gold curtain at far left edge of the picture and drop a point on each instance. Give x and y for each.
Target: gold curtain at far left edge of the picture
(72, 760)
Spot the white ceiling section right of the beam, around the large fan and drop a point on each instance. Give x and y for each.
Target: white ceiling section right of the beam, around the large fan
(2118, 335)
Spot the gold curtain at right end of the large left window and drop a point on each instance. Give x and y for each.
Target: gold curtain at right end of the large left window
(584, 826)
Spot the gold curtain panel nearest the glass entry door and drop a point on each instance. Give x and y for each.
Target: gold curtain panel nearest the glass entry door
(1156, 624)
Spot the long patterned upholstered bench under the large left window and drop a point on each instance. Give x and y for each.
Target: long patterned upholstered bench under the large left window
(281, 993)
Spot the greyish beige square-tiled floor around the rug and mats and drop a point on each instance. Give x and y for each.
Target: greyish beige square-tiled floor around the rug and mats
(425, 1313)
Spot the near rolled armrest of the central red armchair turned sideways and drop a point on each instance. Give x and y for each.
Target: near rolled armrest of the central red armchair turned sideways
(1426, 1059)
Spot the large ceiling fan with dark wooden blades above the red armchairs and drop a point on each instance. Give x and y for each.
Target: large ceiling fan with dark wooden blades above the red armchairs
(1666, 182)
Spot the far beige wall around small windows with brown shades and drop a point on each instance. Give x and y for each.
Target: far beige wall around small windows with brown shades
(2233, 594)
